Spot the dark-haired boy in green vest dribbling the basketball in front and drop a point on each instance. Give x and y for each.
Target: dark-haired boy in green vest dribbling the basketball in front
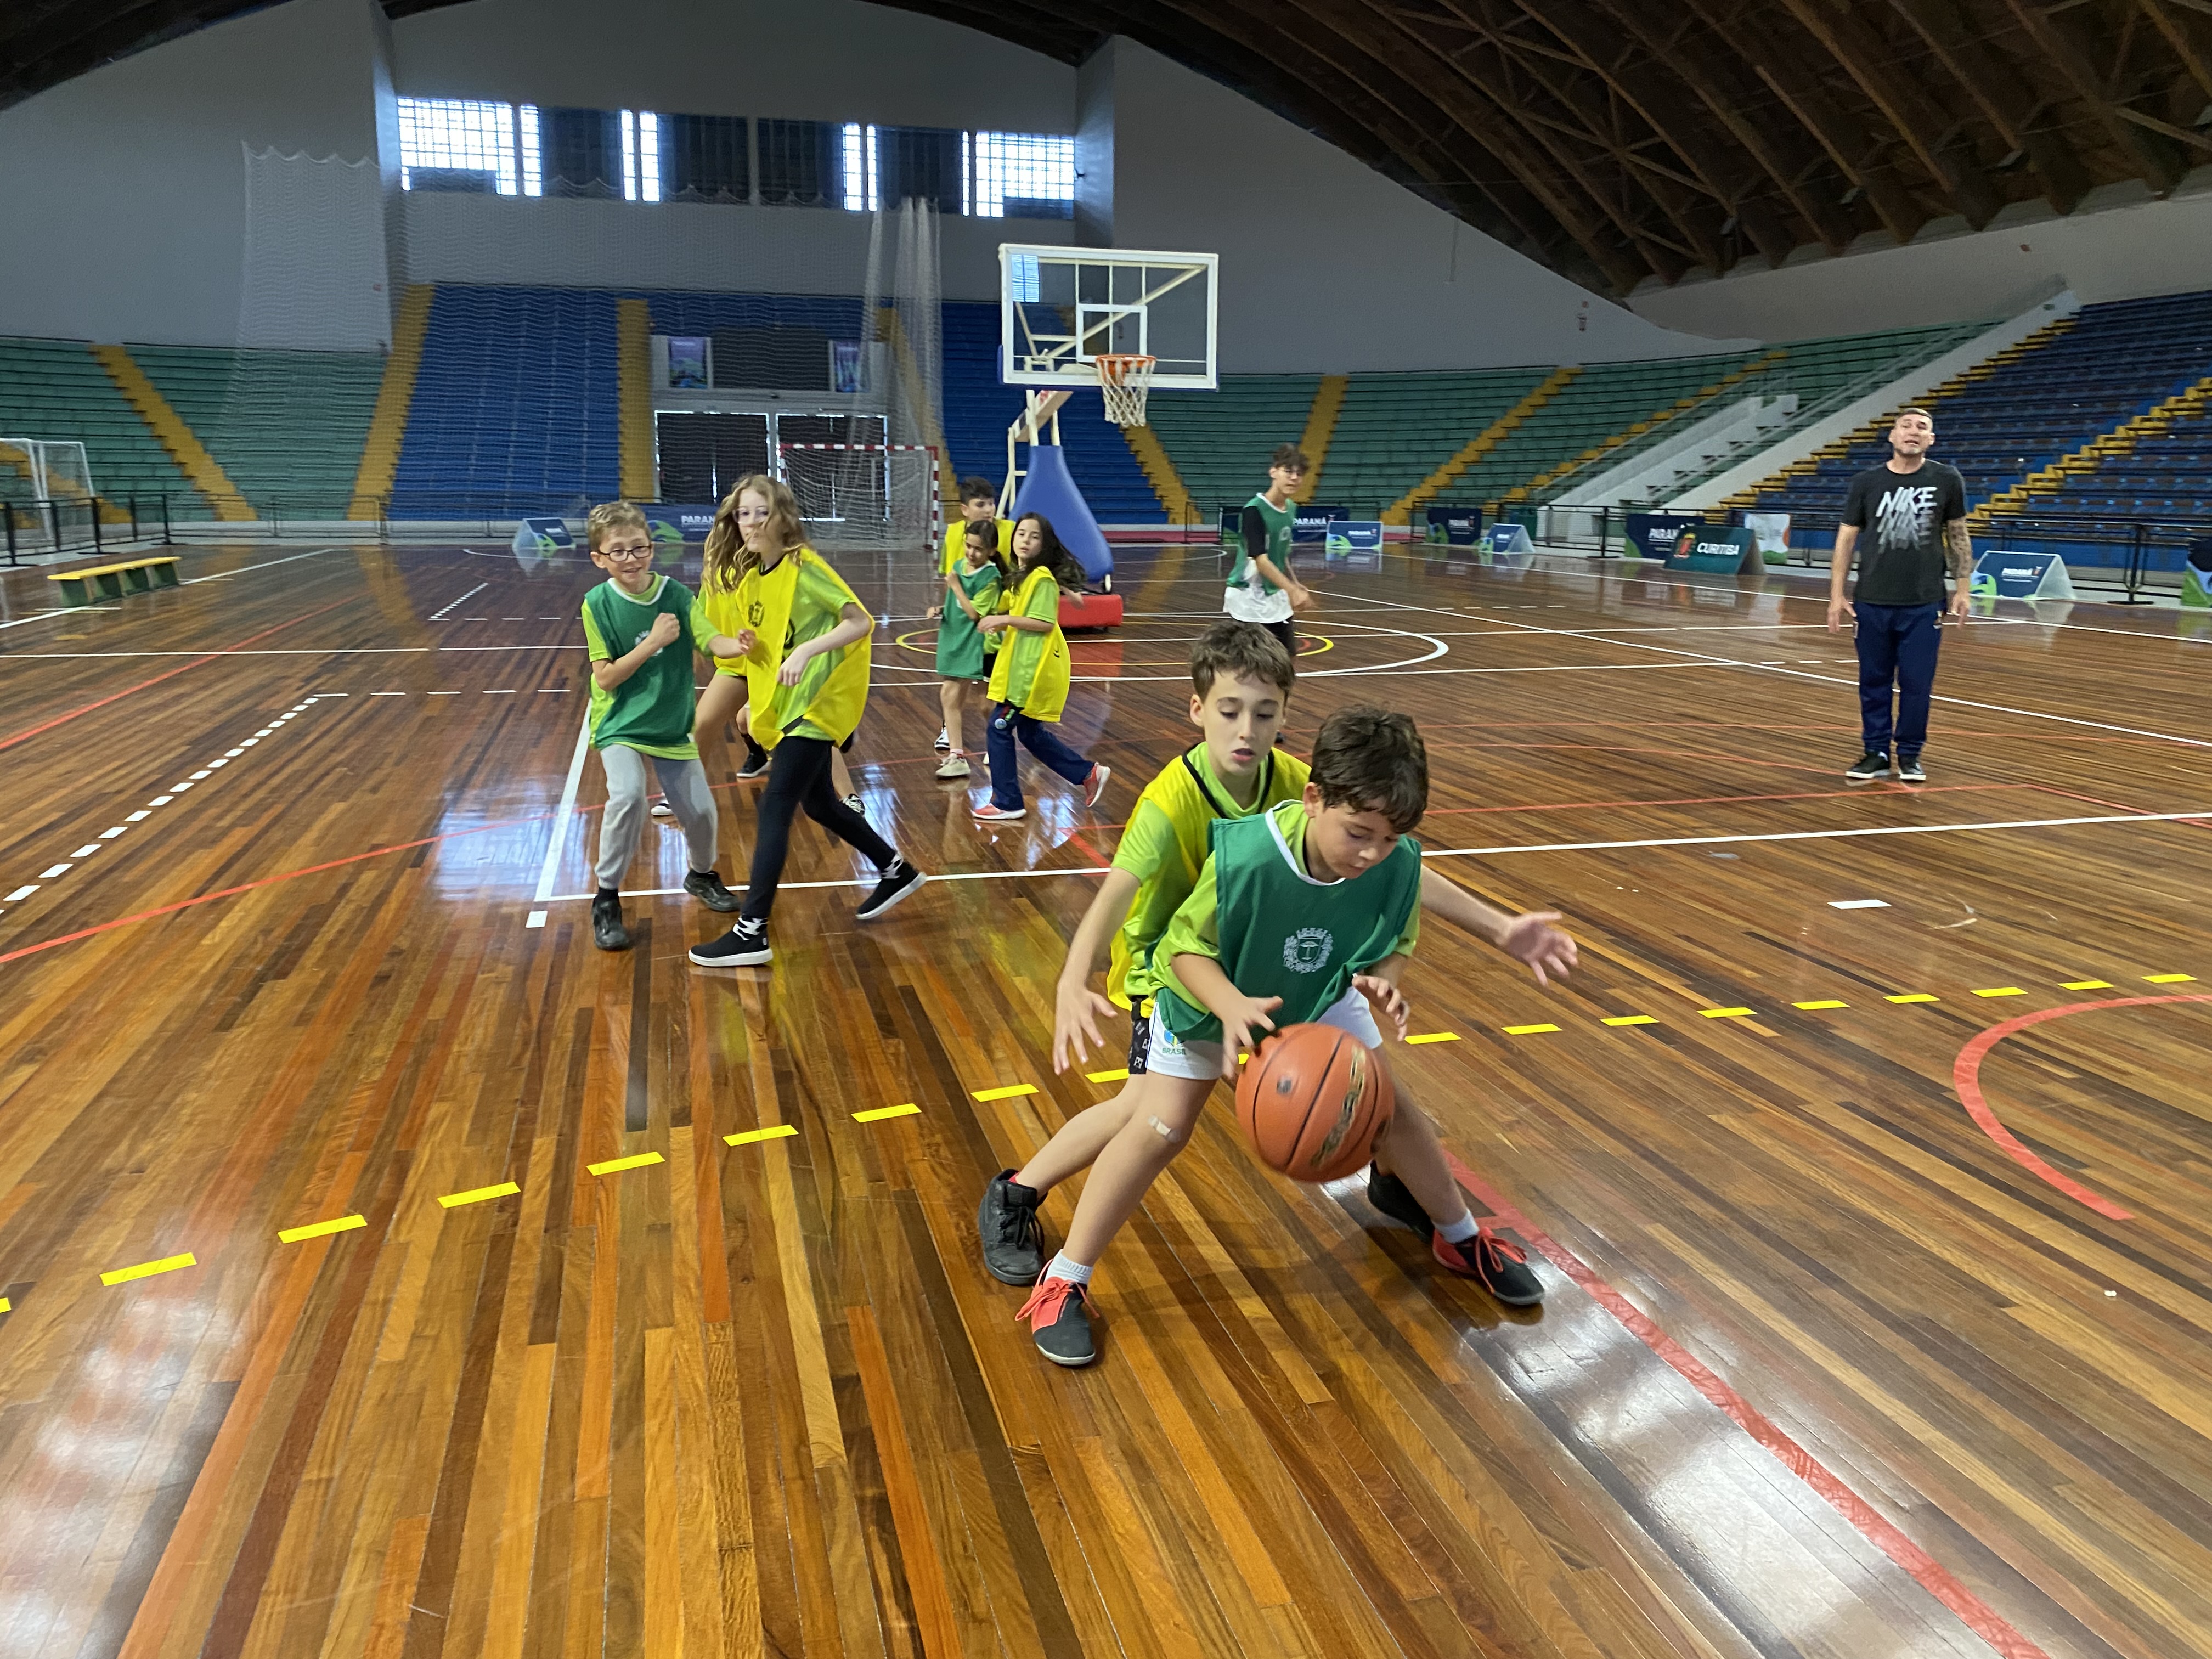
(1273, 906)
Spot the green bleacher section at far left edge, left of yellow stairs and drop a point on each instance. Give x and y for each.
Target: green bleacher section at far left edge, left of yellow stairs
(54, 390)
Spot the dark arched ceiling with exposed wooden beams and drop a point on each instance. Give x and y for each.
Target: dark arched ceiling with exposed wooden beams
(1611, 140)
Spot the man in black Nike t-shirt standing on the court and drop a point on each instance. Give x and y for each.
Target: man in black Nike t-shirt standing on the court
(1912, 514)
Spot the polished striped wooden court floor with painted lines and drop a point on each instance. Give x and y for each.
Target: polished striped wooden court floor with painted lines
(1875, 1328)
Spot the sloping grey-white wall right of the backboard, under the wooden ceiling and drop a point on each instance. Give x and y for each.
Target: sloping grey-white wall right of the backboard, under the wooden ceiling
(1324, 262)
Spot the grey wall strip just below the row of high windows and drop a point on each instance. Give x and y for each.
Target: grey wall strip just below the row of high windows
(685, 244)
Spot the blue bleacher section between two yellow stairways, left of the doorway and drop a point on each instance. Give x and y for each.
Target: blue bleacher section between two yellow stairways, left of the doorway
(514, 406)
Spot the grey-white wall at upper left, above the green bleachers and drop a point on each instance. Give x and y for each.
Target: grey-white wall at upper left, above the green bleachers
(125, 191)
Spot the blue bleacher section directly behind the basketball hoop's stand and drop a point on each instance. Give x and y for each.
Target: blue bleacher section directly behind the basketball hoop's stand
(979, 413)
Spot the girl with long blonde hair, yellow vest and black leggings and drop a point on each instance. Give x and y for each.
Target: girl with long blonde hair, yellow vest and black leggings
(804, 647)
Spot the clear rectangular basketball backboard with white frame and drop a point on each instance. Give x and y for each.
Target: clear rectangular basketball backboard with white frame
(1061, 309)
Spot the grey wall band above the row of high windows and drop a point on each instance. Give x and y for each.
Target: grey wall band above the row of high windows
(824, 61)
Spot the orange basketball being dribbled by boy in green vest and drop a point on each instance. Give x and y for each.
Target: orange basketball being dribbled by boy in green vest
(1313, 1103)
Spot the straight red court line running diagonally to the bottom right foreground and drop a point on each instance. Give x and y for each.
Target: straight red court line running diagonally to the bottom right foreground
(1872, 1525)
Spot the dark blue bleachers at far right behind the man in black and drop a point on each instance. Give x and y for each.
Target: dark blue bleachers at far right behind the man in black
(2034, 406)
